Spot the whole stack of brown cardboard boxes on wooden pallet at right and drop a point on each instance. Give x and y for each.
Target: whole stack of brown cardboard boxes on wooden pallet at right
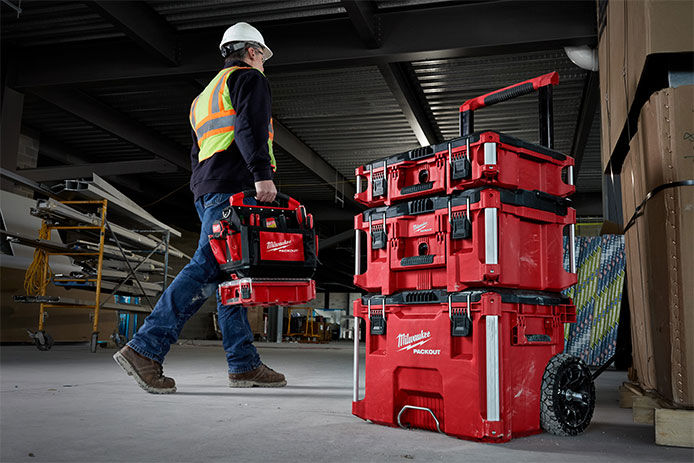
(649, 126)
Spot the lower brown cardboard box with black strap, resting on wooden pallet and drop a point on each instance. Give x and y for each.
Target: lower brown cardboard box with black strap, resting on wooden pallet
(660, 245)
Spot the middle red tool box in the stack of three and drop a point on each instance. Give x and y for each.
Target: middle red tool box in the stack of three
(477, 237)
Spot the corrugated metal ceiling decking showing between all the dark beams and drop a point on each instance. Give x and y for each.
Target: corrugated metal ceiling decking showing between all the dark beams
(347, 115)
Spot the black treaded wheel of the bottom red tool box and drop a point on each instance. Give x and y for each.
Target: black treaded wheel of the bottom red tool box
(567, 397)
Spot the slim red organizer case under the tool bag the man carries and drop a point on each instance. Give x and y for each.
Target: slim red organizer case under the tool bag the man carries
(266, 293)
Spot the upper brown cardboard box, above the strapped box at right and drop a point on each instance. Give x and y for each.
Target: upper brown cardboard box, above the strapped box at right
(634, 30)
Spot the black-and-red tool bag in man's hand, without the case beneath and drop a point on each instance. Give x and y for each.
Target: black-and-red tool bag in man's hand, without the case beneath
(265, 241)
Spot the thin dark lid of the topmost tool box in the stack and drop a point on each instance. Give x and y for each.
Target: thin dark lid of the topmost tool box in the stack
(430, 150)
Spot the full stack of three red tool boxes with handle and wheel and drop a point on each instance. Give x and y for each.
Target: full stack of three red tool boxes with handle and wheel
(464, 255)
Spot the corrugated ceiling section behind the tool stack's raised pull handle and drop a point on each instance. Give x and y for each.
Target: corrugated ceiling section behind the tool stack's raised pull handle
(447, 84)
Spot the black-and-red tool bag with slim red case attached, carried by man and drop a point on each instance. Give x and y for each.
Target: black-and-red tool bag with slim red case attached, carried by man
(259, 246)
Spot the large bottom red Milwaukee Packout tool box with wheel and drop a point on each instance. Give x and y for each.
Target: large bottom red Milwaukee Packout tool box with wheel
(484, 364)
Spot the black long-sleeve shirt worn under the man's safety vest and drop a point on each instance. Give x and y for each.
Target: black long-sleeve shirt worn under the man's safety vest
(247, 160)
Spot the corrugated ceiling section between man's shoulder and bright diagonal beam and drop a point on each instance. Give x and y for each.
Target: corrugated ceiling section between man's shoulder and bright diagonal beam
(348, 116)
